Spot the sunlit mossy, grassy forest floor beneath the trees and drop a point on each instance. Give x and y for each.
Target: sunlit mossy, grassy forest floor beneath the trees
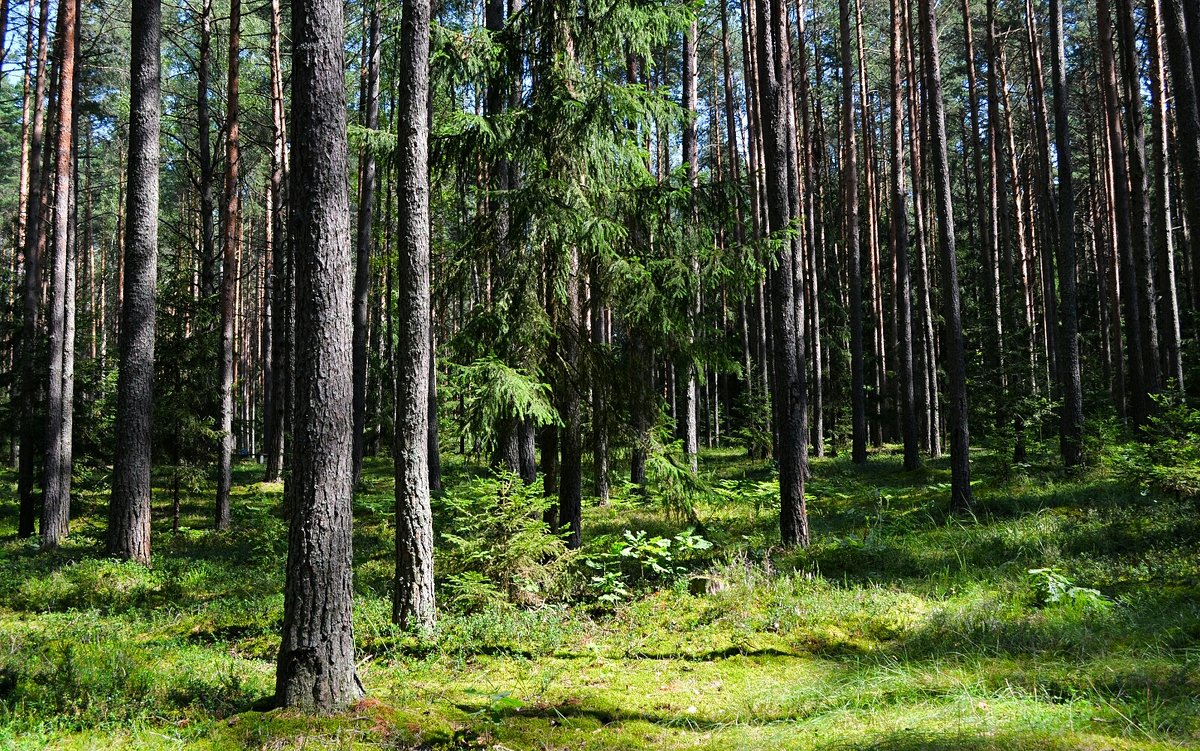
(902, 628)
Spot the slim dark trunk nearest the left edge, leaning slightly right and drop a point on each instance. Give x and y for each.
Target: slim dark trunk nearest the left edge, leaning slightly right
(35, 242)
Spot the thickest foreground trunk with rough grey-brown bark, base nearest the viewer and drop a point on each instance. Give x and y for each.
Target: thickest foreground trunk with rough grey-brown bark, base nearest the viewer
(316, 664)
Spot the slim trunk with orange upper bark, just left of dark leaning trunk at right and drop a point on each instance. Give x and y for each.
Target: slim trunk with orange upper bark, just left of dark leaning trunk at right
(901, 250)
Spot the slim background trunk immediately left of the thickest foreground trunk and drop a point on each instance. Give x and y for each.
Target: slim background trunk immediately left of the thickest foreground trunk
(274, 417)
